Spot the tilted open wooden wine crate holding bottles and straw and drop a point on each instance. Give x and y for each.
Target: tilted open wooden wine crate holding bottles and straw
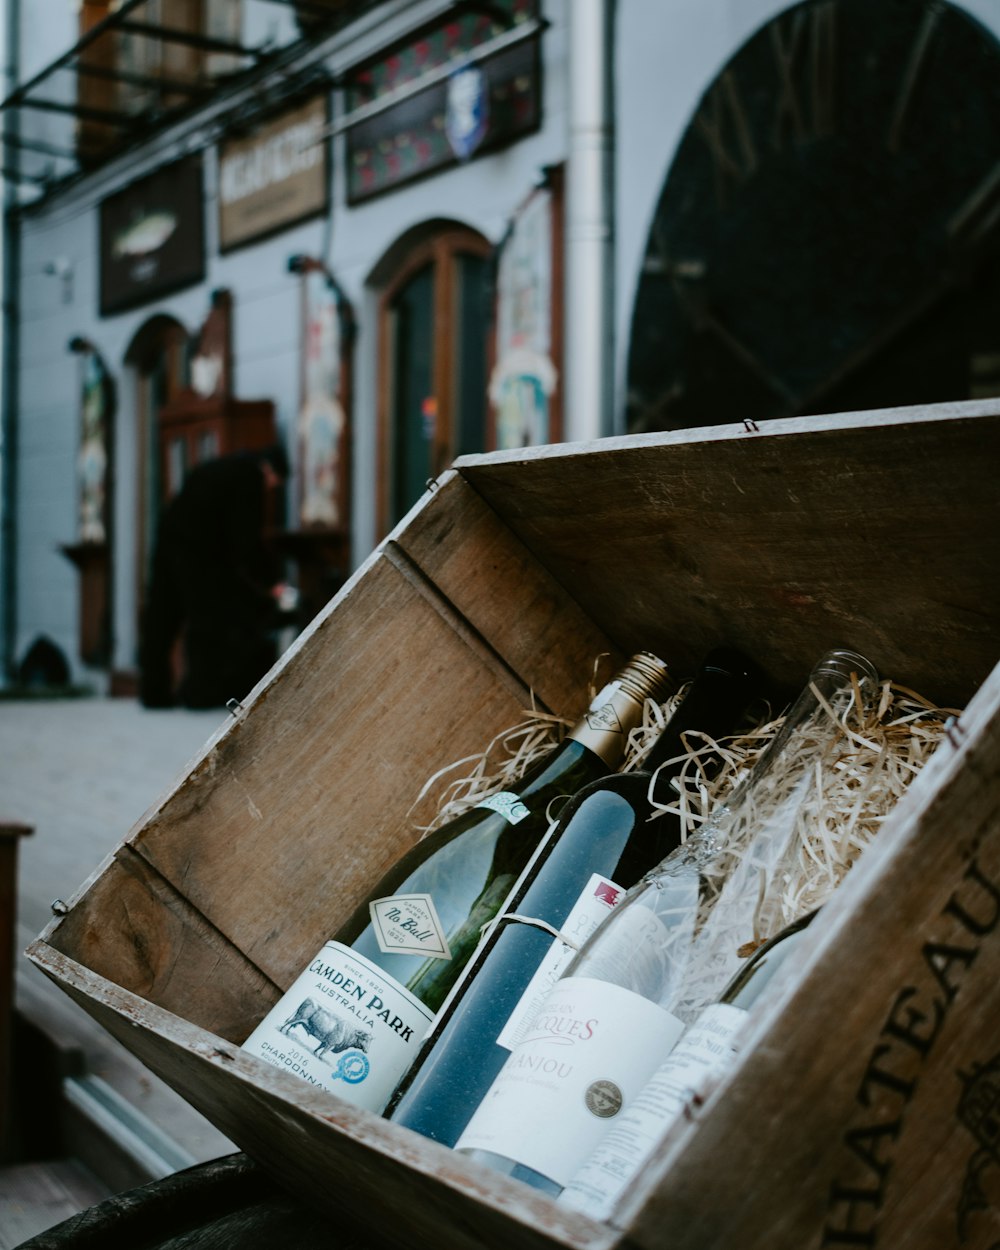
(866, 1112)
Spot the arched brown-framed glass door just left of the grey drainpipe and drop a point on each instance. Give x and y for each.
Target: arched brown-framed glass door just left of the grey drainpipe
(434, 318)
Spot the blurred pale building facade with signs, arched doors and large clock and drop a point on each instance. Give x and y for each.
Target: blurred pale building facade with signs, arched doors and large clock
(392, 233)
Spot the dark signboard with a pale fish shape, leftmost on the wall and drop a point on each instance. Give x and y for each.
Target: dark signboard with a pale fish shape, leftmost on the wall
(153, 239)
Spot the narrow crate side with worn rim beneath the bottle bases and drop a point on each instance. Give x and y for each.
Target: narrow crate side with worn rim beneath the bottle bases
(309, 1139)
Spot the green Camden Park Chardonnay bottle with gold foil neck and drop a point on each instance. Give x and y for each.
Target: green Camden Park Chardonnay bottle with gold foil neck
(354, 1018)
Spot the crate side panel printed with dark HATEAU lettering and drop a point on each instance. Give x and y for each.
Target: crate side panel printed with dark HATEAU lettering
(846, 1124)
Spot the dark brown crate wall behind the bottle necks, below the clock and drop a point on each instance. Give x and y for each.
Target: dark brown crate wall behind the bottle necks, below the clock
(878, 531)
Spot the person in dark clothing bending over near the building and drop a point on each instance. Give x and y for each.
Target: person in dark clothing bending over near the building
(214, 584)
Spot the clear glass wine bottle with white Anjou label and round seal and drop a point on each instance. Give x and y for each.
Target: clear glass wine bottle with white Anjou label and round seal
(663, 954)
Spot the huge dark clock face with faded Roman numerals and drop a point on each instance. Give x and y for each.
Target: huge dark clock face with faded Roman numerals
(827, 236)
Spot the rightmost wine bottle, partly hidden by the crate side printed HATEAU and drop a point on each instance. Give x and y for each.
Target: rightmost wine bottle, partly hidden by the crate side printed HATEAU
(694, 1067)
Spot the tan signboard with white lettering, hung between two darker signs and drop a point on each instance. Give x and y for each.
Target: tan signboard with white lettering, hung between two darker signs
(276, 177)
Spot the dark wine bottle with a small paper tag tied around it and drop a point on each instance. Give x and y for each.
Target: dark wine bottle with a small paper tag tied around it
(602, 844)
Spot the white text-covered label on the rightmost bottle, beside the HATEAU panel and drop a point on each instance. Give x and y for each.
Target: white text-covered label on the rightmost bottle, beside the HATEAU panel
(702, 1056)
